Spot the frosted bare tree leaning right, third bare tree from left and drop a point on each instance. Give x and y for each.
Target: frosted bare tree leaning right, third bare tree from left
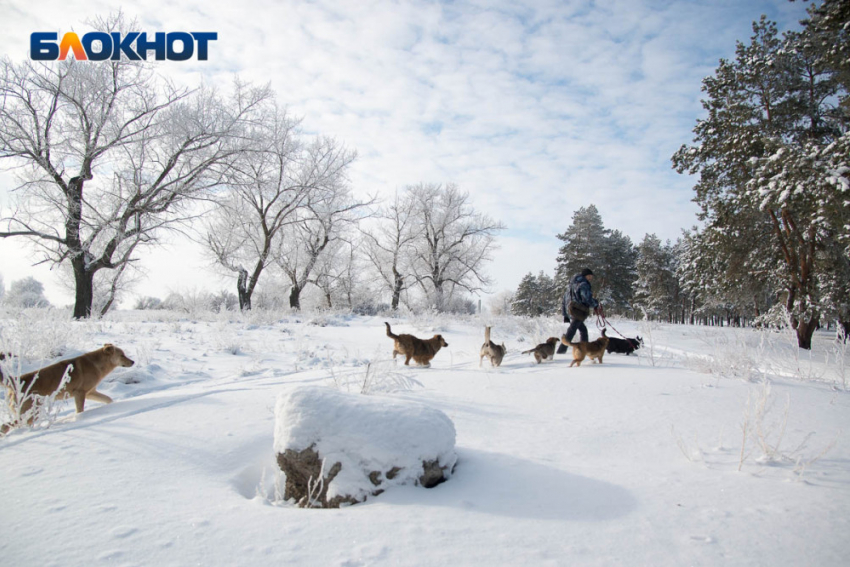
(324, 220)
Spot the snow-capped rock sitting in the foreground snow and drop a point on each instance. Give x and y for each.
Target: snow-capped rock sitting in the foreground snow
(337, 448)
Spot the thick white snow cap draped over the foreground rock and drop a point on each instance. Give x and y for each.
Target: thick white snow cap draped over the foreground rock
(363, 434)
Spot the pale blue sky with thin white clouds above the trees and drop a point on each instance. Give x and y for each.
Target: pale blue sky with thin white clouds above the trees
(536, 109)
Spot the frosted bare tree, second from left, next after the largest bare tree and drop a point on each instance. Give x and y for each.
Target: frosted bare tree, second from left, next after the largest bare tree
(267, 186)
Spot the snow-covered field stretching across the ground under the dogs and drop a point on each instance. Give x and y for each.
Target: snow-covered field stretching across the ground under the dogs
(712, 447)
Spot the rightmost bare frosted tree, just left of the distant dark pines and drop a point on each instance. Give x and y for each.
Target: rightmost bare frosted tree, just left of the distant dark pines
(455, 244)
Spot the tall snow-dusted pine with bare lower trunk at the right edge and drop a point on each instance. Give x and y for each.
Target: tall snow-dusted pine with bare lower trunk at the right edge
(771, 157)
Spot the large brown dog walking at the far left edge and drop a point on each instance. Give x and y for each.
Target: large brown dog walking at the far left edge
(86, 373)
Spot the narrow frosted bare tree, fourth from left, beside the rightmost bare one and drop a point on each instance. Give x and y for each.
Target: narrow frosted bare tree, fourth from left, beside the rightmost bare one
(389, 245)
